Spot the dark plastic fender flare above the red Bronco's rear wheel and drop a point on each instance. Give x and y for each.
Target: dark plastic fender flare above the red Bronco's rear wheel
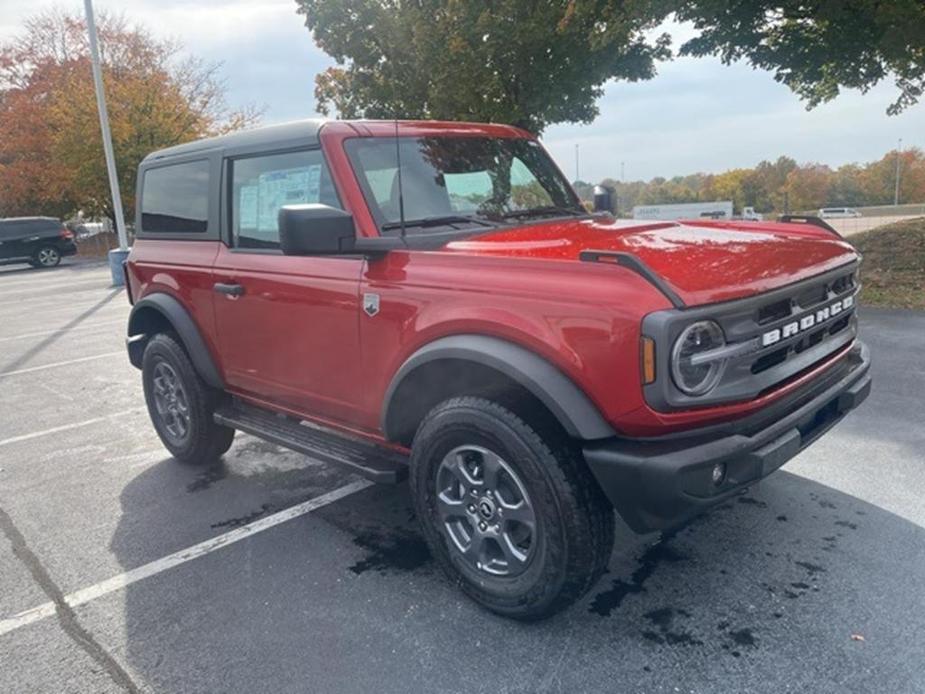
(182, 322)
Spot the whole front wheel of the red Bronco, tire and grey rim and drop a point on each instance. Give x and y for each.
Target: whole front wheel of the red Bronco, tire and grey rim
(517, 570)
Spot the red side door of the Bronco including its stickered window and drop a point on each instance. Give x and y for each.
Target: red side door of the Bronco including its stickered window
(287, 325)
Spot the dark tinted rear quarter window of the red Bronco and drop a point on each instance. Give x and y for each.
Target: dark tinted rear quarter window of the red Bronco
(175, 198)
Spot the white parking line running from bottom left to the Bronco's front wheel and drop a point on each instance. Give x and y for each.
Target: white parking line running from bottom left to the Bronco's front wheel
(122, 580)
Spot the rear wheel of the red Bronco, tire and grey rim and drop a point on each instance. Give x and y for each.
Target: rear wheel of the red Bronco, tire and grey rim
(181, 405)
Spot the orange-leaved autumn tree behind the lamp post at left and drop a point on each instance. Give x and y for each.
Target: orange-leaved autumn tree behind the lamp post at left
(51, 153)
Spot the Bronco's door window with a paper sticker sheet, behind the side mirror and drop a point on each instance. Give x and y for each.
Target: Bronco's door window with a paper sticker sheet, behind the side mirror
(260, 186)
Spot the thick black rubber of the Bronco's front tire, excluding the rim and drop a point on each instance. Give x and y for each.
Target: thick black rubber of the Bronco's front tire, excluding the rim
(574, 522)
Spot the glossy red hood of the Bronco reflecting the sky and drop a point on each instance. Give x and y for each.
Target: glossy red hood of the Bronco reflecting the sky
(704, 262)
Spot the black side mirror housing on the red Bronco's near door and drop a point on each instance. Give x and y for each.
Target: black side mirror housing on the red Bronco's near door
(315, 230)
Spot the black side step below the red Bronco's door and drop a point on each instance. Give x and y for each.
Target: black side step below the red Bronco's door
(368, 460)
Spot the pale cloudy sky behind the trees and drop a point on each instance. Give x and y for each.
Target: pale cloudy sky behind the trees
(696, 115)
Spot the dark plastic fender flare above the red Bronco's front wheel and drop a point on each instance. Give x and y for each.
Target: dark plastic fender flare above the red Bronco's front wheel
(564, 399)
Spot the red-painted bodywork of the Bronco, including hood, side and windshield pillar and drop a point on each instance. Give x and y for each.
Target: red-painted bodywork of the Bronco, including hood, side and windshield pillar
(298, 340)
